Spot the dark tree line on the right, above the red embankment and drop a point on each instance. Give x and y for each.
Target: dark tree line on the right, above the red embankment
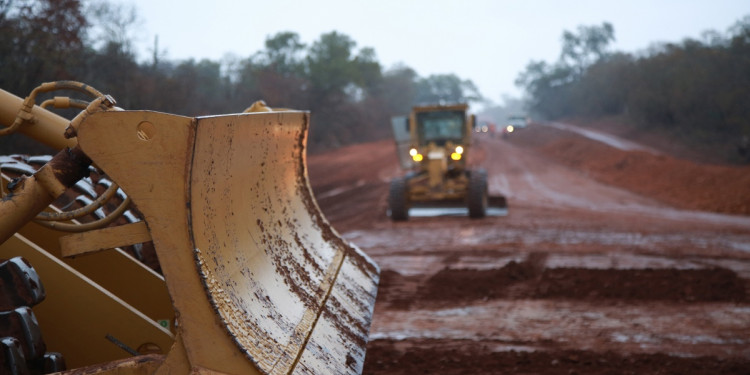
(696, 90)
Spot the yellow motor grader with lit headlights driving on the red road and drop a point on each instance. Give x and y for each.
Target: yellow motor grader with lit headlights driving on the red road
(433, 143)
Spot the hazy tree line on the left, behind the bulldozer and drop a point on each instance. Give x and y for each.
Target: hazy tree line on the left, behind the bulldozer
(350, 94)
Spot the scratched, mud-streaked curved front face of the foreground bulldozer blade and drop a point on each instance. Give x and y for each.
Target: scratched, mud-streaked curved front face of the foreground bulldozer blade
(293, 295)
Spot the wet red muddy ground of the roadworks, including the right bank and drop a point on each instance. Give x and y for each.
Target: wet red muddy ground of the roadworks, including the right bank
(613, 258)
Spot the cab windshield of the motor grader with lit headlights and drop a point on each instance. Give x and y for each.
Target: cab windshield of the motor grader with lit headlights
(441, 126)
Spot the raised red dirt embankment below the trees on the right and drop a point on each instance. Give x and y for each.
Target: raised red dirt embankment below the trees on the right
(677, 182)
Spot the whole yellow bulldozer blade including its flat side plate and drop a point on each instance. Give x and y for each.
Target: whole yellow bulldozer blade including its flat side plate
(259, 280)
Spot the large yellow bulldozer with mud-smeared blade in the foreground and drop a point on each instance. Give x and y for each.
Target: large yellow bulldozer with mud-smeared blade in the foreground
(250, 277)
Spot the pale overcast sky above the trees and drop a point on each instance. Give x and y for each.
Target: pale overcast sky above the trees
(486, 41)
